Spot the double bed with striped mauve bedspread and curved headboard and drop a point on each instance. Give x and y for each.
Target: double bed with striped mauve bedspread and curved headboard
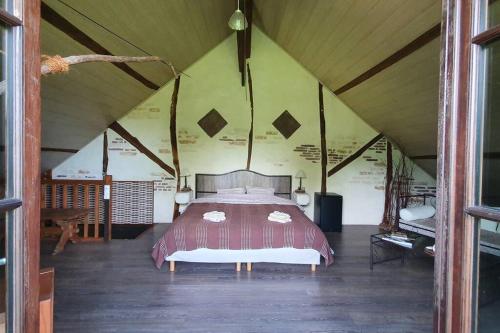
(246, 236)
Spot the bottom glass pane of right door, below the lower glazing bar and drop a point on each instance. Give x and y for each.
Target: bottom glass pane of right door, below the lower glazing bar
(489, 278)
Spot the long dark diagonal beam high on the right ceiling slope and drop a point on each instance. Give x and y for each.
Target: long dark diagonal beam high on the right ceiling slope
(413, 46)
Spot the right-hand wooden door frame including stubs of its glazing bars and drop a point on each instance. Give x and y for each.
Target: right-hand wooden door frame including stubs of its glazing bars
(459, 208)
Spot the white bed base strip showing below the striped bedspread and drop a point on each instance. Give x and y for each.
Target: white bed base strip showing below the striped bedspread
(279, 255)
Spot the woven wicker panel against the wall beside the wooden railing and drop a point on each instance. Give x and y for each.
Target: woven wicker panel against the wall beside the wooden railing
(132, 202)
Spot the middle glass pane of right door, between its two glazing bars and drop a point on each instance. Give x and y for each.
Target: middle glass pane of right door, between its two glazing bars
(490, 195)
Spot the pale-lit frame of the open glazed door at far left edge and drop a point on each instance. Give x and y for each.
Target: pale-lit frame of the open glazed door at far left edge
(11, 204)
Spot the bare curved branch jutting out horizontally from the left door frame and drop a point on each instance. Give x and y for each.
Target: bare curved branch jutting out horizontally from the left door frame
(57, 64)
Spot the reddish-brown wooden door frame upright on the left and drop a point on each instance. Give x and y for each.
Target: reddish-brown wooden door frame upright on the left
(31, 162)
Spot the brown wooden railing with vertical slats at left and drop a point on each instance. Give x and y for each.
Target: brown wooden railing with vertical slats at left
(62, 193)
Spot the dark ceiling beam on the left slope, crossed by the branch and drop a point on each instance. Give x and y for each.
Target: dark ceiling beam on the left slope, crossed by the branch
(54, 18)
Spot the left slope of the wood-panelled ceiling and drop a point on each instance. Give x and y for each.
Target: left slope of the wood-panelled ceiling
(79, 105)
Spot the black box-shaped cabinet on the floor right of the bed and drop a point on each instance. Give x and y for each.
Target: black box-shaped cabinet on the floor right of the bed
(328, 211)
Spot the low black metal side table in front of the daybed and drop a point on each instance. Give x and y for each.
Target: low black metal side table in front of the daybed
(377, 242)
